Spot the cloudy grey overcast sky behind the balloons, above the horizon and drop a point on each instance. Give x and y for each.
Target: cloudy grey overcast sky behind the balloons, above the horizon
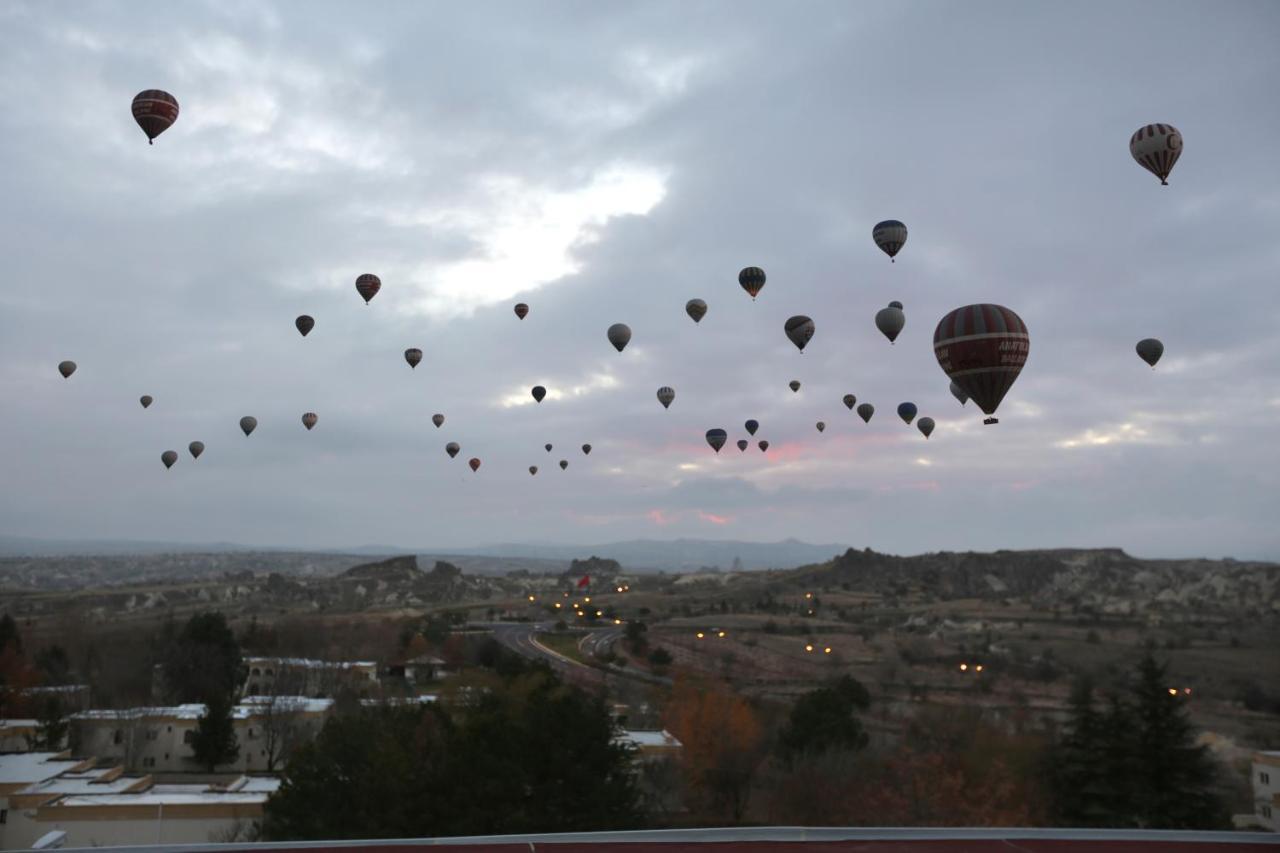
(606, 163)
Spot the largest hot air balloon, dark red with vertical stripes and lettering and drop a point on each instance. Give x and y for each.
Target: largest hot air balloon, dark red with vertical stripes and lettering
(984, 349)
